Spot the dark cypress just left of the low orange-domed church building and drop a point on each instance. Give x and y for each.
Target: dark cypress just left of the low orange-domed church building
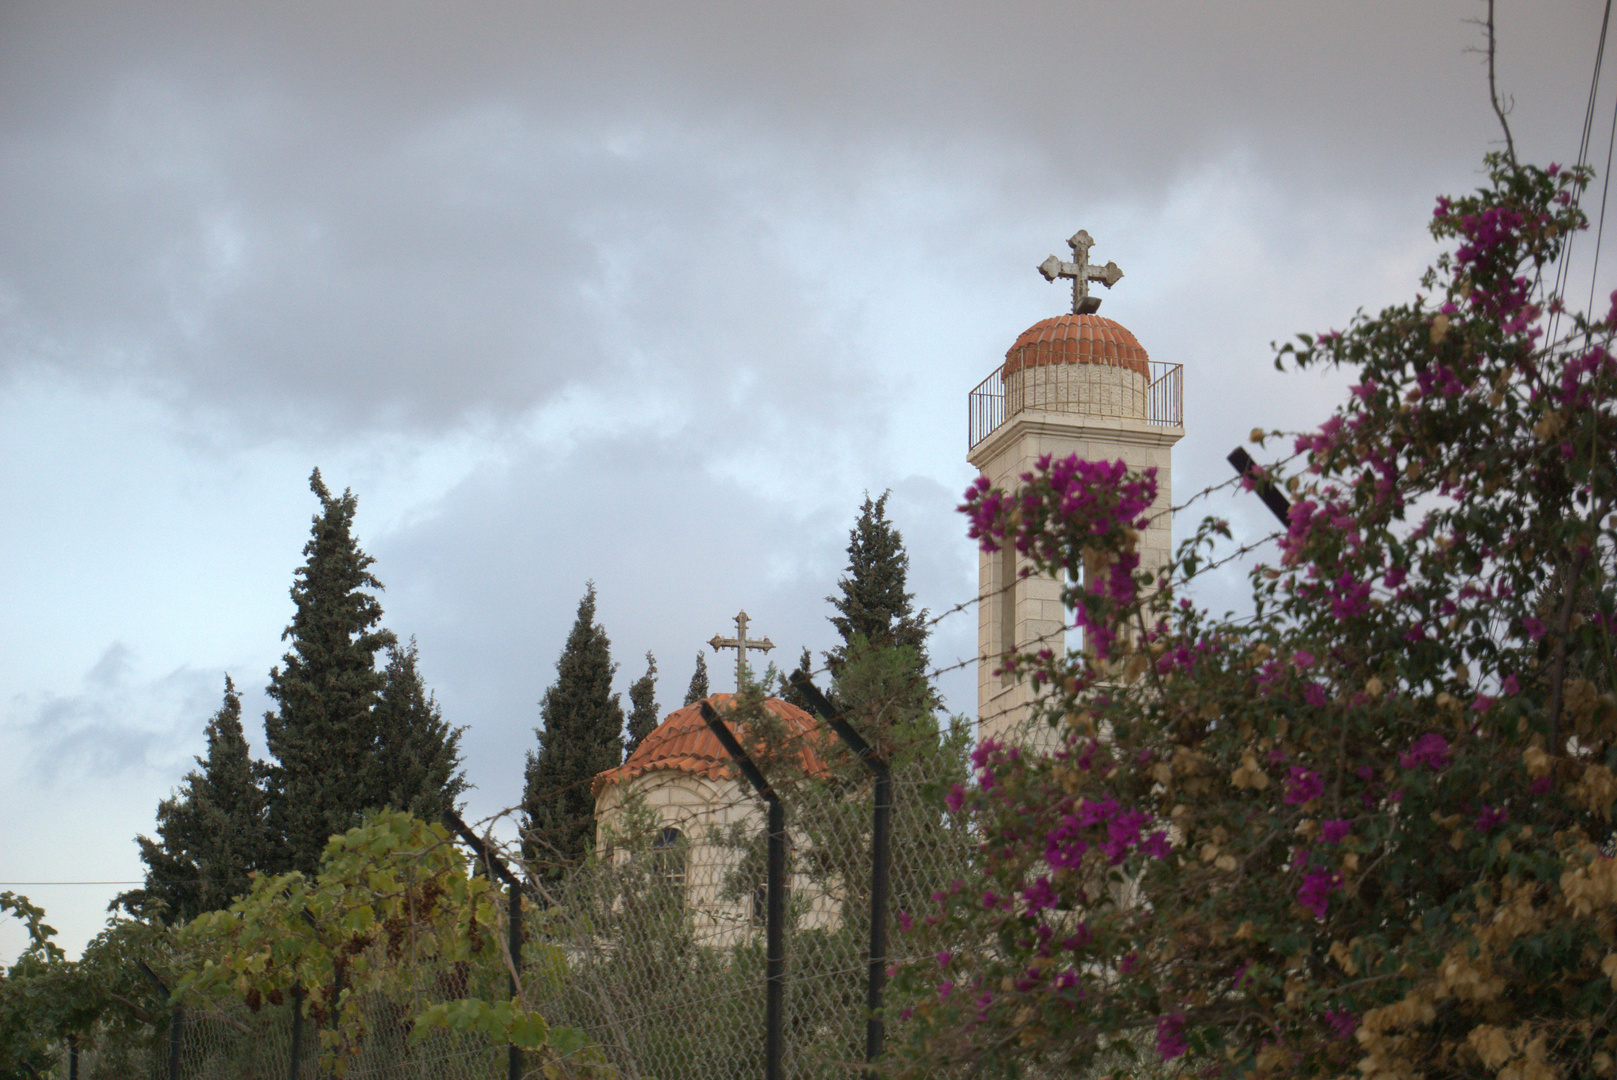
(581, 736)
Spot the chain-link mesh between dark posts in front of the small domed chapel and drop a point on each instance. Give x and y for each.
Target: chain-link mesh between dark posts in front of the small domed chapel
(664, 937)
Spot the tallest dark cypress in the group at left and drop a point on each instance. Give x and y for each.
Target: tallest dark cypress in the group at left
(324, 735)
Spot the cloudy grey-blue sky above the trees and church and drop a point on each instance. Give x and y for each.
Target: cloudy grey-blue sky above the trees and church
(641, 293)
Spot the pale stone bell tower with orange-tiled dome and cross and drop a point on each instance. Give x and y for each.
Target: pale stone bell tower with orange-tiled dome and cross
(1083, 386)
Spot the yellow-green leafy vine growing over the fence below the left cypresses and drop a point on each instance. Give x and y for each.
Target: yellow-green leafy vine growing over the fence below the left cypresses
(394, 914)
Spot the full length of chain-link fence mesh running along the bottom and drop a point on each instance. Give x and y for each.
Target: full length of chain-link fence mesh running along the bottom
(656, 948)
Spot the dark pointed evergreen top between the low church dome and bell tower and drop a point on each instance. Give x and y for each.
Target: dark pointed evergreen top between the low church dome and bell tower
(874, 605)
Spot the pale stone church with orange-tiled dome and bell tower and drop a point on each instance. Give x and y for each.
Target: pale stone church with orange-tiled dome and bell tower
(1076, 384)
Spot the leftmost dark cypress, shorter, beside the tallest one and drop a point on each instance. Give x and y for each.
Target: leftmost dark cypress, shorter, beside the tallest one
(211, 833)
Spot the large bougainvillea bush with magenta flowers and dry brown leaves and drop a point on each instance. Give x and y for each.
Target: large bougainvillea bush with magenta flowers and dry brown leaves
(1364, 830)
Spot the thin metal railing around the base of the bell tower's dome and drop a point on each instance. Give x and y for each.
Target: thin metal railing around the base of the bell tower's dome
(1076, 390)
